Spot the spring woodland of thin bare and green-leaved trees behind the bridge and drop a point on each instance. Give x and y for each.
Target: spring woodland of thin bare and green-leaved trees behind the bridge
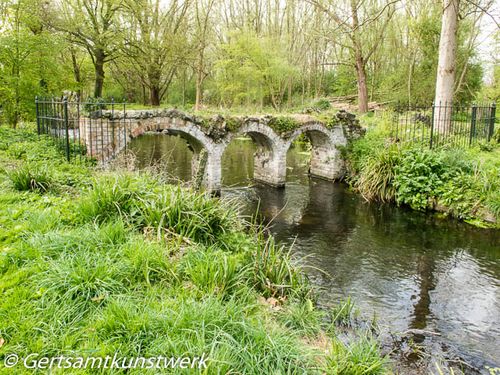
(257, 54)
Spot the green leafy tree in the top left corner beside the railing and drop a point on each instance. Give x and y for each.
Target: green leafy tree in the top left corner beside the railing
(27, 60)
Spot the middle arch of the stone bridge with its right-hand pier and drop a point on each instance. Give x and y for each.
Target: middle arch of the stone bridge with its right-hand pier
(270, 156)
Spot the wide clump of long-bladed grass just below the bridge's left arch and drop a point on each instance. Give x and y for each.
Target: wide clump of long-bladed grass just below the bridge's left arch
(164, 209)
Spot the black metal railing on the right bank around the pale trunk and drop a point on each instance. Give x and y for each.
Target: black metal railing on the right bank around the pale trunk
(444, 124)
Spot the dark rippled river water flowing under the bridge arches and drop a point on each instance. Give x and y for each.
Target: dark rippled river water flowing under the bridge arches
(408, 269)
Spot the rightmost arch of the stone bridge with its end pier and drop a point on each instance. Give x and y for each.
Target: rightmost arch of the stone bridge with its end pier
(326, 161)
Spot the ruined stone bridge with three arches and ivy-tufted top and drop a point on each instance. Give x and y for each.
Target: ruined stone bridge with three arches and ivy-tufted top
(105, 134)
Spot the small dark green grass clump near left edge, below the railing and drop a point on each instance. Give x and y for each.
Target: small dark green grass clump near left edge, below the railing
(30, 177)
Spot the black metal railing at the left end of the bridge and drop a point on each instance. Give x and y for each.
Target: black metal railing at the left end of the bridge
(83, 128)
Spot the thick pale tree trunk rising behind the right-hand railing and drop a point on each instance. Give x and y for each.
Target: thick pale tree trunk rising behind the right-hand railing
(446, 66)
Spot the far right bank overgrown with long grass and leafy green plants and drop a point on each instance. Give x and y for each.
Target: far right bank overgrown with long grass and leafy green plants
(461, 183)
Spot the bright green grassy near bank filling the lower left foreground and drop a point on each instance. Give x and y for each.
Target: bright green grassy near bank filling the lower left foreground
(94, 263)
